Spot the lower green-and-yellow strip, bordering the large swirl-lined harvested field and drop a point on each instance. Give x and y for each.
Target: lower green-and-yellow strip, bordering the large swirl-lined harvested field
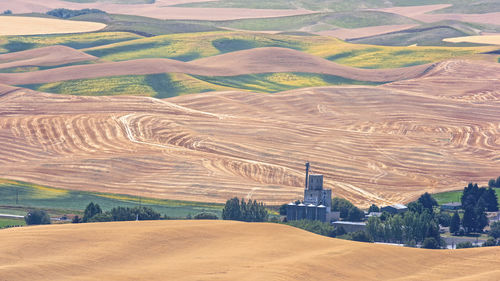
(166, 85)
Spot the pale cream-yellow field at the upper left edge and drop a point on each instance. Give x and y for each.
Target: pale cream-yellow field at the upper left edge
(31, 26)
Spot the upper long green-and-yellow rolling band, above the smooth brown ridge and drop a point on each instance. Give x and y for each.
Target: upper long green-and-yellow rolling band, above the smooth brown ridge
(187, 47)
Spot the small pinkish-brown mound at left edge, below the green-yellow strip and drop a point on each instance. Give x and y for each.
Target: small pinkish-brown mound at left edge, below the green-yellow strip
(46, 56)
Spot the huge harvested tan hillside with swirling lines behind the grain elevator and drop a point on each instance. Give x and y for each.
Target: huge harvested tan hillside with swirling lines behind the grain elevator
(379, 145)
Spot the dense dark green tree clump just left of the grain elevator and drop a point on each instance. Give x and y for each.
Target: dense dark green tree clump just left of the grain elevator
(250, 211)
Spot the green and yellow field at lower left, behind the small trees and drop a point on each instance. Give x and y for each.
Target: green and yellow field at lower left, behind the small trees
(67, 201)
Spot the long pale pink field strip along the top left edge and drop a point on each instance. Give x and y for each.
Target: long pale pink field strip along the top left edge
(160, 10)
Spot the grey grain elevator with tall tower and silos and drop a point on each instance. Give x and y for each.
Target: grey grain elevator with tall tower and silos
(317, 201)
